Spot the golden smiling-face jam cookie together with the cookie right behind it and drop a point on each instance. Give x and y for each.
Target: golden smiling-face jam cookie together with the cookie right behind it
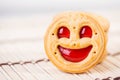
(76, 41)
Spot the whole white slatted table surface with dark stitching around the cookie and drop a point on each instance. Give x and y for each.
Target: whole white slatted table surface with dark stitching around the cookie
(22, 55)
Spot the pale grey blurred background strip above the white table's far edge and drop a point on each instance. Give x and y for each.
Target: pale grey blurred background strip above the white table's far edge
(46, 6)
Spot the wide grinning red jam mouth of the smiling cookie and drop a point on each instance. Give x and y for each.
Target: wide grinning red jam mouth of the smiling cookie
(74, 55)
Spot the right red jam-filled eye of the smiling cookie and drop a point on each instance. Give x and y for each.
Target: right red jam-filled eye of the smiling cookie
(86, 31)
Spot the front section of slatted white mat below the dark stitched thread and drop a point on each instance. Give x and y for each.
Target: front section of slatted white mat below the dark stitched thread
(38, 70)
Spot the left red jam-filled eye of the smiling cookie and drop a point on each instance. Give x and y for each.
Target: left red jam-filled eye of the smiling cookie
(63, 32)
